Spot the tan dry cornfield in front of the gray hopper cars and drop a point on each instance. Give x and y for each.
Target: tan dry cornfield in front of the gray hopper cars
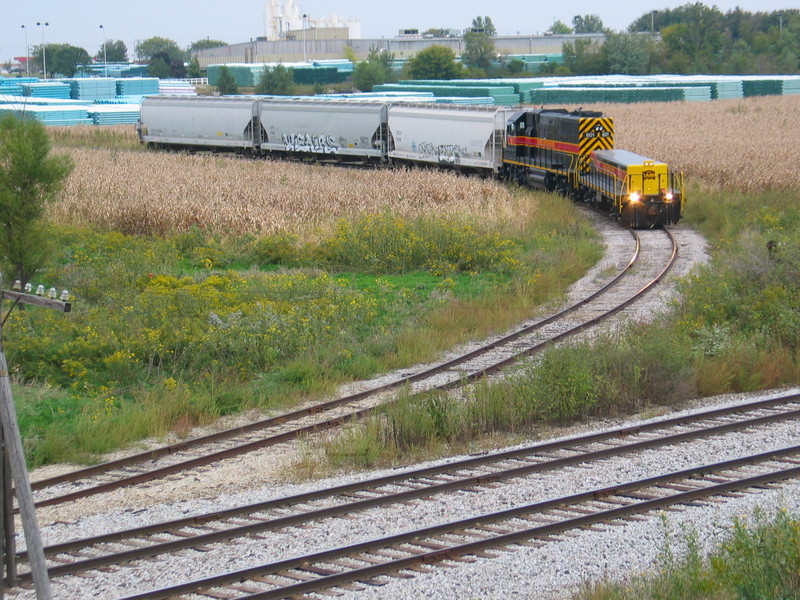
(160, 192)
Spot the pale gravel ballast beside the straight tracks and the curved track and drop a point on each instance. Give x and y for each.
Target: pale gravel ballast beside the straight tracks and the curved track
(552, 571)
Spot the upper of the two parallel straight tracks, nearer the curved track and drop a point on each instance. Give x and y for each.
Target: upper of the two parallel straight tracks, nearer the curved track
(473, 473)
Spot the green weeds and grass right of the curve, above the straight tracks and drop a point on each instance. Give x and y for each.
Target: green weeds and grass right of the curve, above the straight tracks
(743, 308)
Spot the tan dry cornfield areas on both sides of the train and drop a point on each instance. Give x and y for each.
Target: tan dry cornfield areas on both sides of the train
(749, 144)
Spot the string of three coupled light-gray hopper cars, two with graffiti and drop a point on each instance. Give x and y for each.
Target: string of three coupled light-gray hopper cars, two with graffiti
(463, 137)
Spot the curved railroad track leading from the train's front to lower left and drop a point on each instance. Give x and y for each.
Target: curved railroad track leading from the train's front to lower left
(633, 281)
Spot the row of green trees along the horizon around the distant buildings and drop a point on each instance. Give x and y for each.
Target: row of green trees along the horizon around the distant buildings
(690, 39)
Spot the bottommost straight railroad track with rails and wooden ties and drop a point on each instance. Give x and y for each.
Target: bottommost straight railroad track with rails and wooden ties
(372, 562)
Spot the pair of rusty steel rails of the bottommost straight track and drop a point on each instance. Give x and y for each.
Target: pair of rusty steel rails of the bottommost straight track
(639, 504)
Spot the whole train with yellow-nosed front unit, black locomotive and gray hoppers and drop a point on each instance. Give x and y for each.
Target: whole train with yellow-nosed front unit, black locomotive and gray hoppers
(569, 152)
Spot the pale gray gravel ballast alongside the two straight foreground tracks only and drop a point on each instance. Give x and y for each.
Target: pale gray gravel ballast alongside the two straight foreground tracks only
(552, 571)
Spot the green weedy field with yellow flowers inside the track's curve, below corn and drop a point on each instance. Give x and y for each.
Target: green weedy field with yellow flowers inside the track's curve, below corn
(210, 325)
